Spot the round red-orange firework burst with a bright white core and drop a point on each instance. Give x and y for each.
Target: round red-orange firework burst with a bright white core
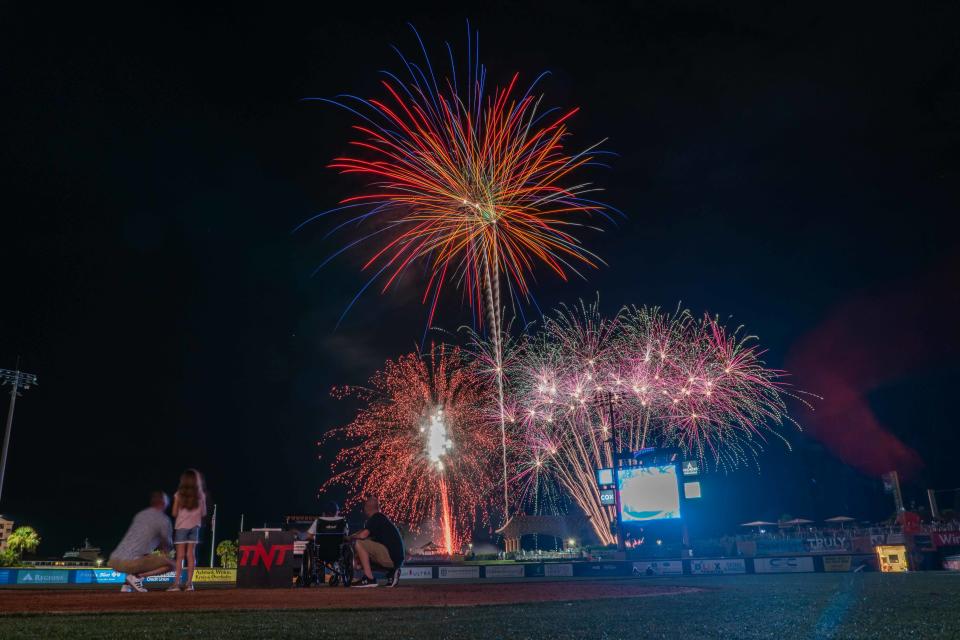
(423, 443)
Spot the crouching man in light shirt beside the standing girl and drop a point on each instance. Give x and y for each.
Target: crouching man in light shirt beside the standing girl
(150, 530)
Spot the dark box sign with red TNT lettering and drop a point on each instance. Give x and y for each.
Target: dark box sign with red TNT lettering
(266, 559)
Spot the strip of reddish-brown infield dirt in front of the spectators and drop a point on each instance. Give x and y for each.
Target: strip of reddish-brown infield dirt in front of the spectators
(434, 595)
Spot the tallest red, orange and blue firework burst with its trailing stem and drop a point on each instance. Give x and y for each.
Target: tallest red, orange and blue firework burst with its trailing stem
(471, 183)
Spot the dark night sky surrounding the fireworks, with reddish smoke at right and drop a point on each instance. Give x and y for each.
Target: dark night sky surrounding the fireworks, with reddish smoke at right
(795, 170)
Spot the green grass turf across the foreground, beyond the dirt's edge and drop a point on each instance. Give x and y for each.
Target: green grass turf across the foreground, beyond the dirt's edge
(921, 605)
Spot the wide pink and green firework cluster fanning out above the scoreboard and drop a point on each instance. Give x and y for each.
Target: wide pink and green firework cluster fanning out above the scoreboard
(587, 386)
